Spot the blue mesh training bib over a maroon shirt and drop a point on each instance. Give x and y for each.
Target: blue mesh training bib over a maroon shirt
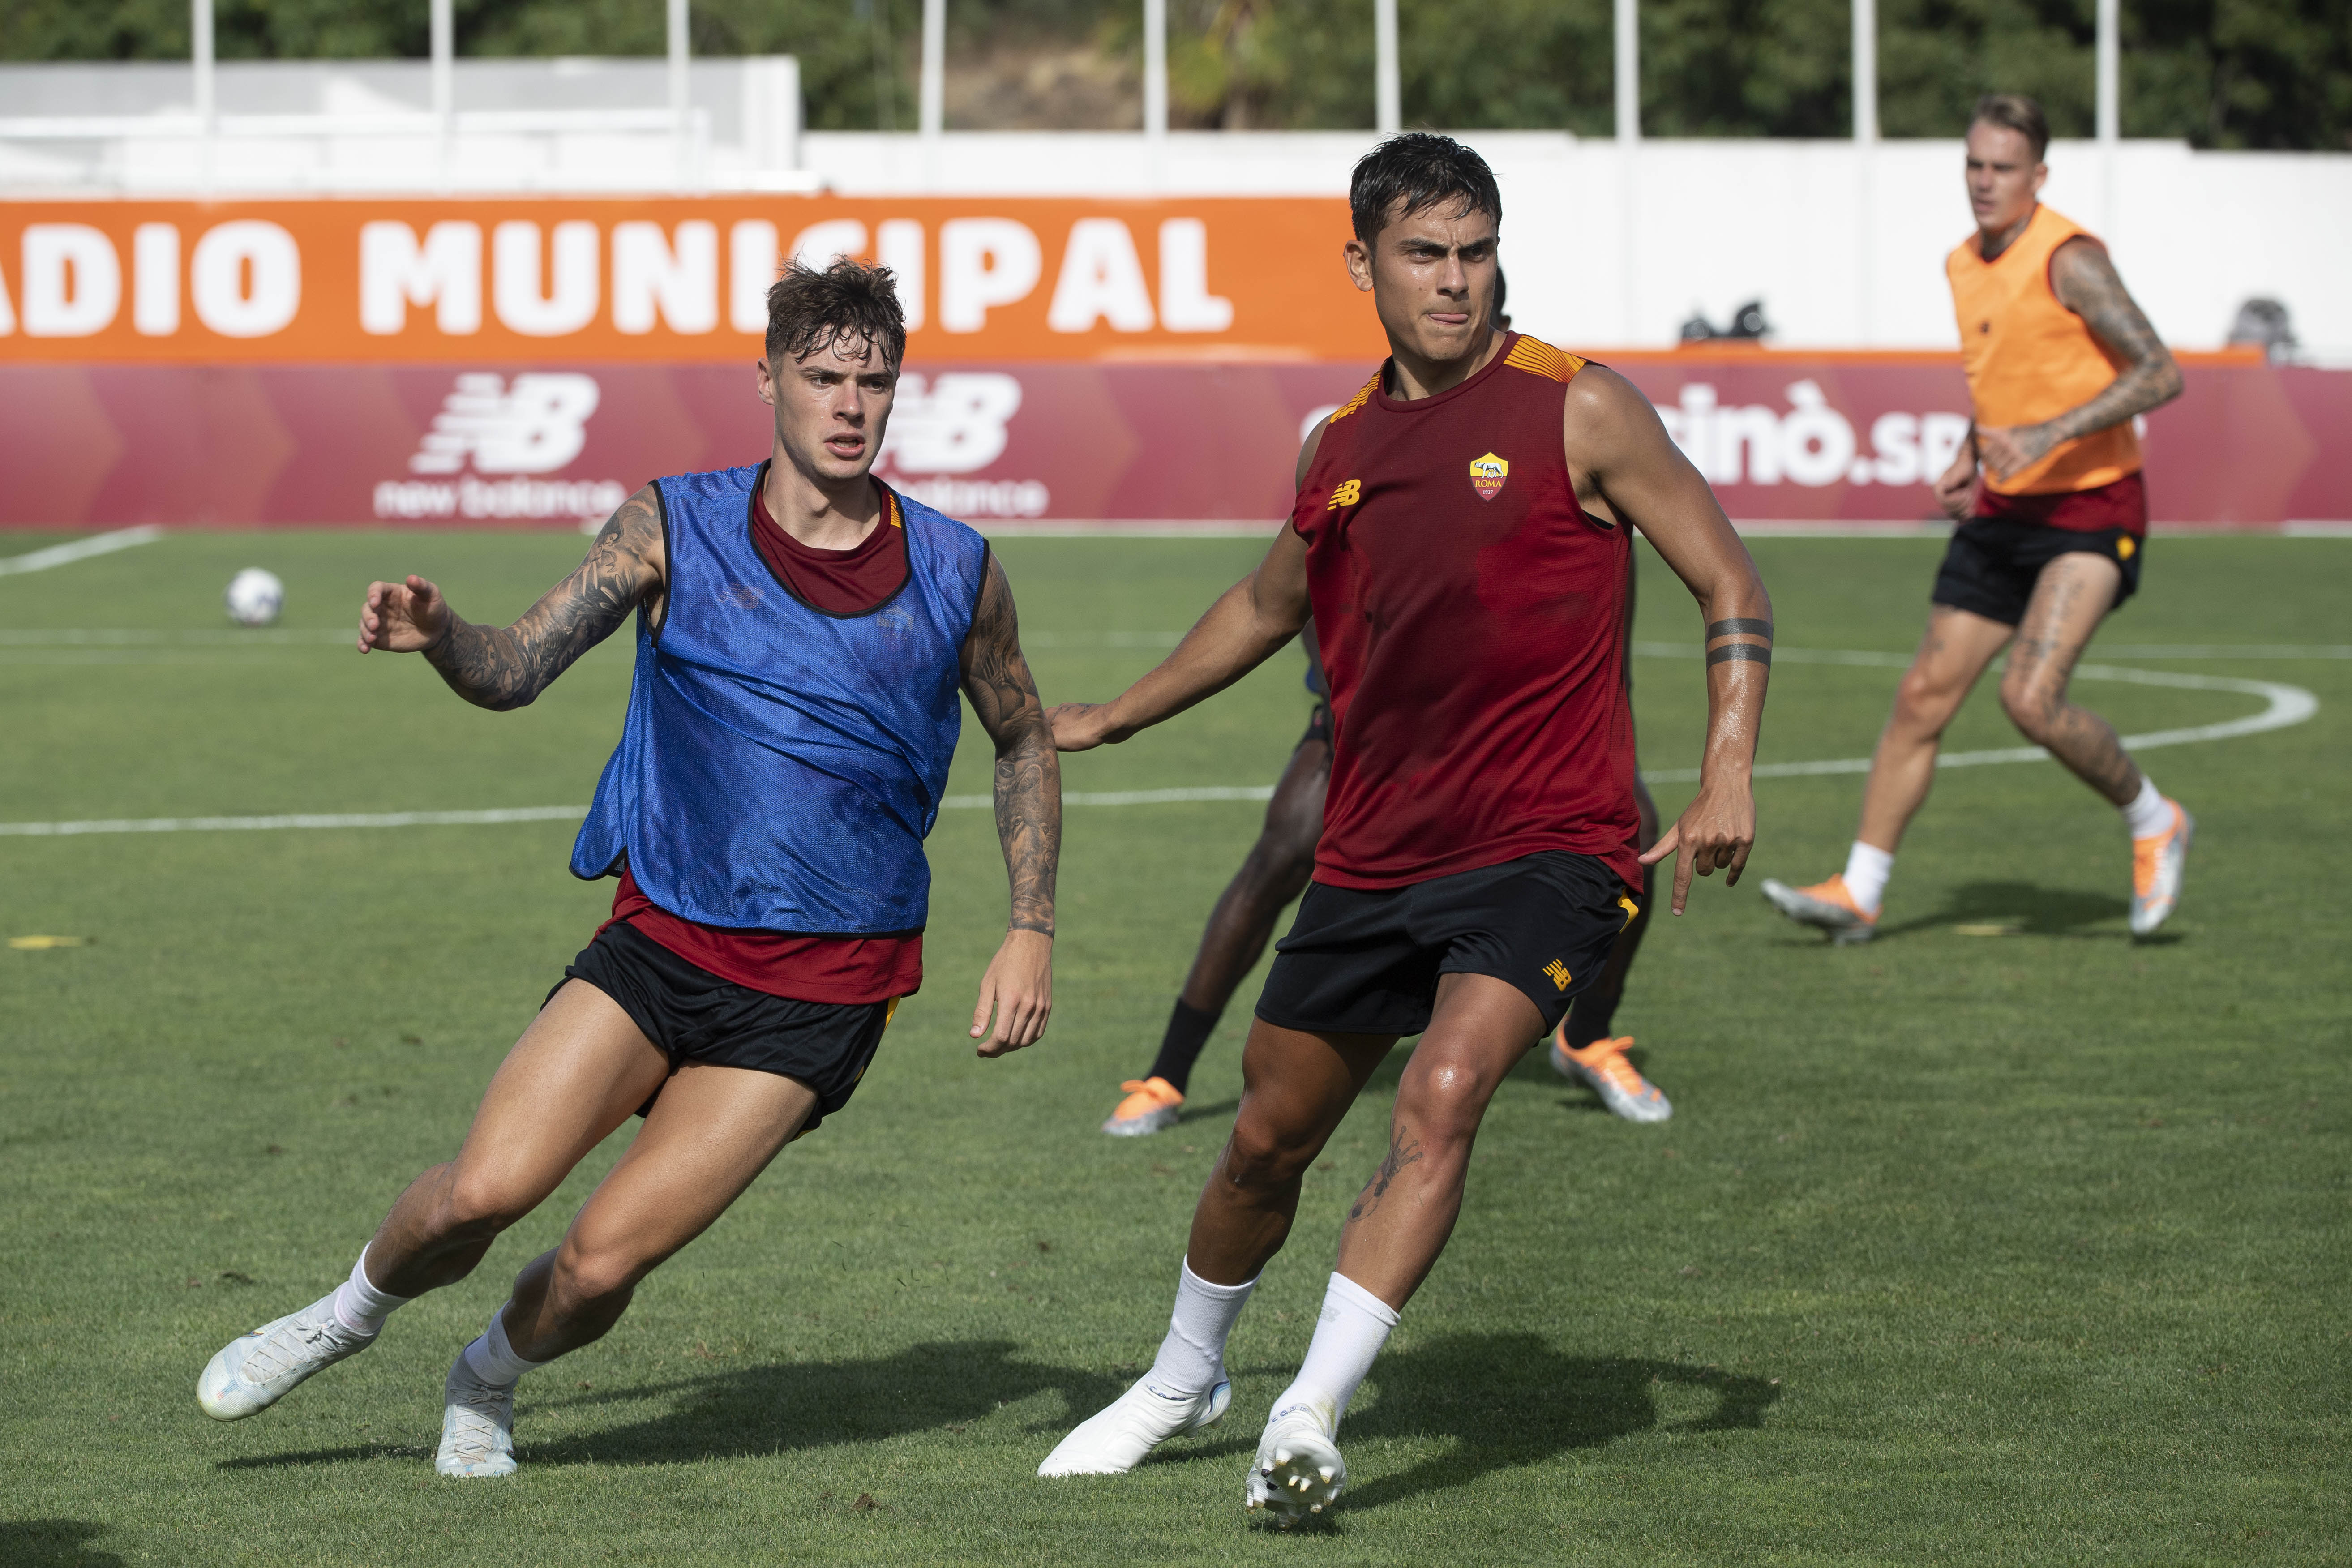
(782, 765)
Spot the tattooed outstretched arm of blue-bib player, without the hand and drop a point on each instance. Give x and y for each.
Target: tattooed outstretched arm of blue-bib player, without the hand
(512, 666)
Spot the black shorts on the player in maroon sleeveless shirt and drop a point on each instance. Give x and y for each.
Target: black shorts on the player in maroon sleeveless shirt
(1368, 963)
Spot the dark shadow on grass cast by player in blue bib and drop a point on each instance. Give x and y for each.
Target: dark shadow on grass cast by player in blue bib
(777, 1407)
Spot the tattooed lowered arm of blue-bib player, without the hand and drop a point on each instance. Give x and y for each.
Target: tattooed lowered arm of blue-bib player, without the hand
(1029, 772)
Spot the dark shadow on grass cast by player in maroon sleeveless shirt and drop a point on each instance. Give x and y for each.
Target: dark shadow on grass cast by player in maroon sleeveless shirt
(1511, 1400)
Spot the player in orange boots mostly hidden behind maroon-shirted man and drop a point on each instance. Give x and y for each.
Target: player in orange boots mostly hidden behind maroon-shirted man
(1278, 869)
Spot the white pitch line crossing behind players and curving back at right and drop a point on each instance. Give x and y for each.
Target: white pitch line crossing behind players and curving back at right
(2285, 706)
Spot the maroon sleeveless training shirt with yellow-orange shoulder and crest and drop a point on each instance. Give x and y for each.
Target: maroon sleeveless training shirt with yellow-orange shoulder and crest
(1474, 634)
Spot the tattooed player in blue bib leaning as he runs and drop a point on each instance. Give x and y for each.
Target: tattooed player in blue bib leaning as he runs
(803, 636)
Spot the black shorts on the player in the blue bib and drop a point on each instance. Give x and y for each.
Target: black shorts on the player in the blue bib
(697, 1017)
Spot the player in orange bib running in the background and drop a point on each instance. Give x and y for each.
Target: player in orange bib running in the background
(2052, 525)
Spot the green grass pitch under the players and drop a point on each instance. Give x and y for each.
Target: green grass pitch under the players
(1996, 1242)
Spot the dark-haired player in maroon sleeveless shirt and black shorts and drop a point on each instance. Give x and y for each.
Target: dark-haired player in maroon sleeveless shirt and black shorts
(1462, 535)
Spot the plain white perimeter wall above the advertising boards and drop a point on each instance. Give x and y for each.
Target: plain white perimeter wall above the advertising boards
(1843, 246)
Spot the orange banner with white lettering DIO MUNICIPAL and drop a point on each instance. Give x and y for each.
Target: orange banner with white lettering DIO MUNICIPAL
(667, 279)
